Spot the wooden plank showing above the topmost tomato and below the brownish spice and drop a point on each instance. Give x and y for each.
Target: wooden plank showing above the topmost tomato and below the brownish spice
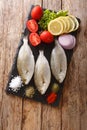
(31, 109)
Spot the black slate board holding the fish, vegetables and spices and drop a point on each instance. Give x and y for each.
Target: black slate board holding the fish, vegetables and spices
(47, 52)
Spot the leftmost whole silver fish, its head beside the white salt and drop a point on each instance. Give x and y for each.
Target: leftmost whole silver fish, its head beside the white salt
(25, 62)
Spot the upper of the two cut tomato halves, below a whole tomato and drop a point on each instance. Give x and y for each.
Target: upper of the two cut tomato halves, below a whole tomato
(32, 25)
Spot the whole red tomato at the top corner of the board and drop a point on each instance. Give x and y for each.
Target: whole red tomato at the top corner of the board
(36, 12)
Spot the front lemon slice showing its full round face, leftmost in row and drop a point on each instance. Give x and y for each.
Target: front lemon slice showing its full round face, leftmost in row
(55, 27)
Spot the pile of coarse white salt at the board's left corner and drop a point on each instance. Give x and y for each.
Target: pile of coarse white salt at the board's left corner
(15, 83)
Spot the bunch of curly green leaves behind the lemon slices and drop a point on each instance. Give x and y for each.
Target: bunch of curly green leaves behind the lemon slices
(48, 16)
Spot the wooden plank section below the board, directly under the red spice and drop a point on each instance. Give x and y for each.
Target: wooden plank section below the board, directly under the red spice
(51, 117)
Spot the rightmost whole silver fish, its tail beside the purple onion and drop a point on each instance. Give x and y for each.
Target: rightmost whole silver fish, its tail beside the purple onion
(58, 62)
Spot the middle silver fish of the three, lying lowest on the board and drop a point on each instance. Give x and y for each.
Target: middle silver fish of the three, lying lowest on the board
(42, 74)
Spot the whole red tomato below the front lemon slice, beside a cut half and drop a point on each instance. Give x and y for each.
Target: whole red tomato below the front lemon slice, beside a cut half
(46, 37)
